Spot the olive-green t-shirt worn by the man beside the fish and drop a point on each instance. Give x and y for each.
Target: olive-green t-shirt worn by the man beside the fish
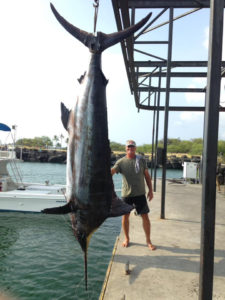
(132, 170)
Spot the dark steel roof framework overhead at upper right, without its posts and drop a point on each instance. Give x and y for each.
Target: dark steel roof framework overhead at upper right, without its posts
(147, 70)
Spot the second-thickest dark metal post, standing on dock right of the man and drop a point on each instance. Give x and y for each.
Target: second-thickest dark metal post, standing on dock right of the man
(166, 117)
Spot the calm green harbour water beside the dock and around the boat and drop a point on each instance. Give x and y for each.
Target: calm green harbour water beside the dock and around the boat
(39, 256)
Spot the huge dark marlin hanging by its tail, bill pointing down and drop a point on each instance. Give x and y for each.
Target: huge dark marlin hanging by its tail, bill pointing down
(90, 192)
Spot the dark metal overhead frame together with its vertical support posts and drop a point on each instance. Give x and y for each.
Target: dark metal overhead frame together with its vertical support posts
(146, 83)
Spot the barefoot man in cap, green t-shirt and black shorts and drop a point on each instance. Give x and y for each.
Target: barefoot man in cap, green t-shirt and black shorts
(134, 173)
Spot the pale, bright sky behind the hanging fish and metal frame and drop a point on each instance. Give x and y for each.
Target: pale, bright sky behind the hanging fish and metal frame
(40, 63)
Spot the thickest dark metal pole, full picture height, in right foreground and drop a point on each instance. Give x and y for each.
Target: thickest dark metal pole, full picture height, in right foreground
(210, 150)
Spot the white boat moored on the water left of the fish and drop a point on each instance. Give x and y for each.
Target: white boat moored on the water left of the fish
(17, 196)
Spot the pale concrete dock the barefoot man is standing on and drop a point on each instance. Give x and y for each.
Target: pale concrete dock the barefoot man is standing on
(171, 271)
